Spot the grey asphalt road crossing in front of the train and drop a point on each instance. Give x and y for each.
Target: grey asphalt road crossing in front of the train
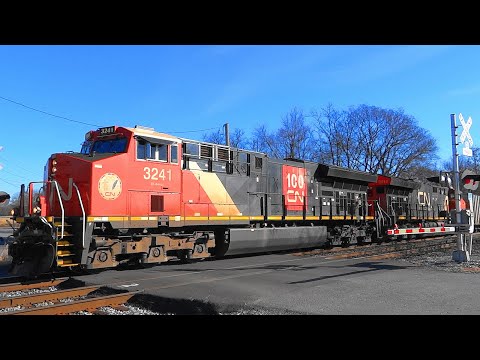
(286, 283)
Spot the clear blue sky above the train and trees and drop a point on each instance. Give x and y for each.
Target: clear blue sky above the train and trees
(183, 89)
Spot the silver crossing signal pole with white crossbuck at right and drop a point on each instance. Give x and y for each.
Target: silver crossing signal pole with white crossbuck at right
(460, 254)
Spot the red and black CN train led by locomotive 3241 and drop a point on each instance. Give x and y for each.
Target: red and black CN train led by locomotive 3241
(134, 195)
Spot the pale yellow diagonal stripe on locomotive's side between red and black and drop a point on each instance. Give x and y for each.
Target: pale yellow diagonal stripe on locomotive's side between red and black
(215, 190)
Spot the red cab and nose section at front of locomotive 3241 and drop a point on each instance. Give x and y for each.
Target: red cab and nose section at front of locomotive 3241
(132, 174)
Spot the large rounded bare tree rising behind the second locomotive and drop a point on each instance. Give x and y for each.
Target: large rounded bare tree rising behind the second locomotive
(373, 139)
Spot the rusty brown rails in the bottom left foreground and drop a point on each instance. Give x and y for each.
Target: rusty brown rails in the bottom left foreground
(58, 297)
